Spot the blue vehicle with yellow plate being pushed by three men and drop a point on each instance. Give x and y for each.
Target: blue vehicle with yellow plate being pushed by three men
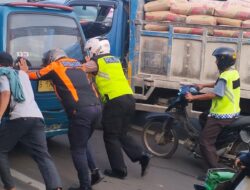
(29, 30)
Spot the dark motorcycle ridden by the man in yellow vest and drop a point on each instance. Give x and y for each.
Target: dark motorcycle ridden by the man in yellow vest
(160, 135)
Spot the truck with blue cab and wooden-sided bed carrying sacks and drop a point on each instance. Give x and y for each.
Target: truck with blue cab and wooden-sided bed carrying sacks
(157, 62)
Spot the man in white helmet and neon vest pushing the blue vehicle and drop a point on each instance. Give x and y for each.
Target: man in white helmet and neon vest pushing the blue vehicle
(119, 107)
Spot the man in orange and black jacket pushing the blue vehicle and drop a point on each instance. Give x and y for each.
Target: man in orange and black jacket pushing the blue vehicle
(81, 103)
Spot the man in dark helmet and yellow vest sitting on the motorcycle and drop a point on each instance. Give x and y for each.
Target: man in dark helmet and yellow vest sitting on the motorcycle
(225, 103)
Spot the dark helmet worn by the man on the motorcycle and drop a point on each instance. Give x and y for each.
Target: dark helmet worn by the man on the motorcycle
(225, 57)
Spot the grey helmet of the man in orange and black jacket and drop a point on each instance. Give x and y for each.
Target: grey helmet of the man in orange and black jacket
(53, 55)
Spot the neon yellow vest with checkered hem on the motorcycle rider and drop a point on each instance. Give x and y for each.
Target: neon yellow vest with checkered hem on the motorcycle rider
(229, 104)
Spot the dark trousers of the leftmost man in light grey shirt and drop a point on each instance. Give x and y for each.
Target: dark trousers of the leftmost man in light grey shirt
(30, 133)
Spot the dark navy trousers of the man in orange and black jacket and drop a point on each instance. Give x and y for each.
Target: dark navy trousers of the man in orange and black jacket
(80, 130)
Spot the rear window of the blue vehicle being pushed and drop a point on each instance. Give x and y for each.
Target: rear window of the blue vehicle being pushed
(31, 36)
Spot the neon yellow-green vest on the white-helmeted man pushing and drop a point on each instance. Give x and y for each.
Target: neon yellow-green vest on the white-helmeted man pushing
(110, 79)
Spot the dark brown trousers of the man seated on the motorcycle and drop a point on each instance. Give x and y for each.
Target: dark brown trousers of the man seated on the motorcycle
(208, 138)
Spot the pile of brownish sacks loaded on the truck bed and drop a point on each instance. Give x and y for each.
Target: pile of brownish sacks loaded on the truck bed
(234, 13)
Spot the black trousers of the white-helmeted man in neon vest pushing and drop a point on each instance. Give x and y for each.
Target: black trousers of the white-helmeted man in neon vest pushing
(117, 114)
